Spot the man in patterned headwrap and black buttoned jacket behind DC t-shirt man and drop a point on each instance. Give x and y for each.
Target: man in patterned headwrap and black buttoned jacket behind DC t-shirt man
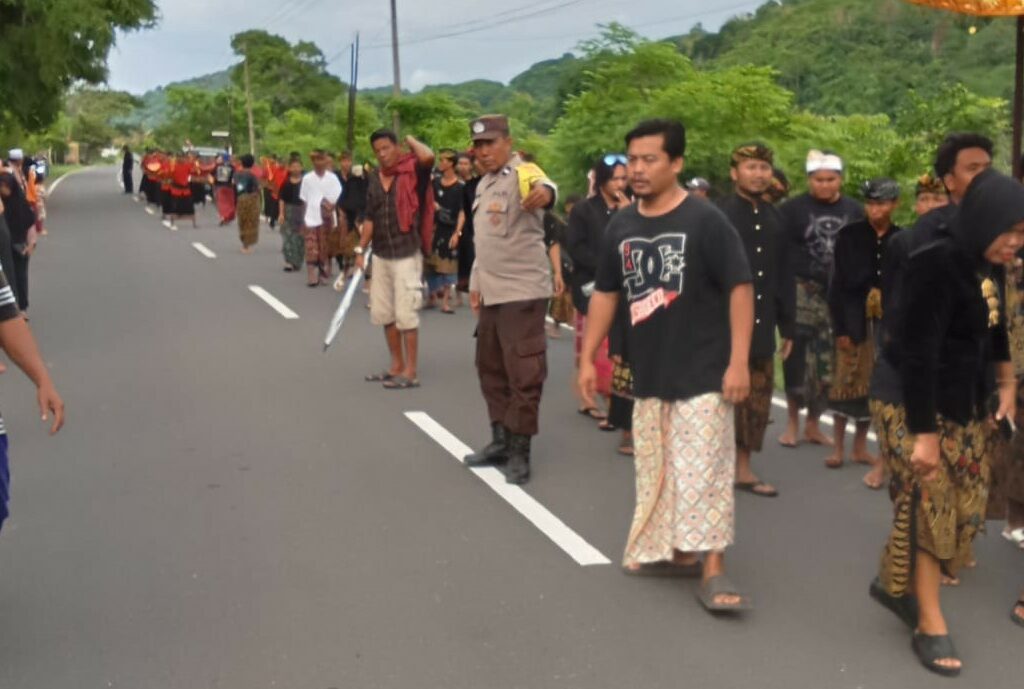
(761, 230)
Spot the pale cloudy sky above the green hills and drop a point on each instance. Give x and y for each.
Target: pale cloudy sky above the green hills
(443, 40)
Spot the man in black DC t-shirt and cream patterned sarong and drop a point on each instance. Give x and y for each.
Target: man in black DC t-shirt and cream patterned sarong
(684, 273)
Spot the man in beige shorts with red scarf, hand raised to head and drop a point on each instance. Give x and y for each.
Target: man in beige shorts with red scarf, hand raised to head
(400, 223)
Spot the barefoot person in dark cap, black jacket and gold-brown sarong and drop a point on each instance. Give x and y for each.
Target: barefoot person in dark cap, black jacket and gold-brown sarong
(856, 306)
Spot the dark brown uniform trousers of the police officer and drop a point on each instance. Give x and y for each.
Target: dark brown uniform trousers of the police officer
(511, 361)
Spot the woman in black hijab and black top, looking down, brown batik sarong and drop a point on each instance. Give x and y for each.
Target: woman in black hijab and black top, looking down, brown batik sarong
(949, 328)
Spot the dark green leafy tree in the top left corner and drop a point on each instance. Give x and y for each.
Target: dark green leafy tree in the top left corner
(48, 46)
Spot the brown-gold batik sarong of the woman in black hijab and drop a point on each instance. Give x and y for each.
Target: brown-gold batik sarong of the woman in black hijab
(943, 516)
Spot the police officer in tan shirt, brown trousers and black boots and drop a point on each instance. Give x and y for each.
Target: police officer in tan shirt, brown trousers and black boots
(509, 287)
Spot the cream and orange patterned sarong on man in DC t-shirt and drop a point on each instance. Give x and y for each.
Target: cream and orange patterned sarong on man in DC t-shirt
(685, 455)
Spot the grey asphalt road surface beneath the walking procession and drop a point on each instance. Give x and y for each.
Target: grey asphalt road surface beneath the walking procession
(229, 507)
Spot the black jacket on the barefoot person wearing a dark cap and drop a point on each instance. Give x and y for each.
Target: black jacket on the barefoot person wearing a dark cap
(858, 270)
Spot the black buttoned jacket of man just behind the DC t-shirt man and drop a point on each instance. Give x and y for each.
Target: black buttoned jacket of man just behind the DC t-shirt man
(763, 234)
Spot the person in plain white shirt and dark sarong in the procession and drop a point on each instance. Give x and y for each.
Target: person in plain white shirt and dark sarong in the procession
(320, 192)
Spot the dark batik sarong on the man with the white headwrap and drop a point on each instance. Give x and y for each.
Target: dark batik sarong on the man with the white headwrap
(808, 370)
